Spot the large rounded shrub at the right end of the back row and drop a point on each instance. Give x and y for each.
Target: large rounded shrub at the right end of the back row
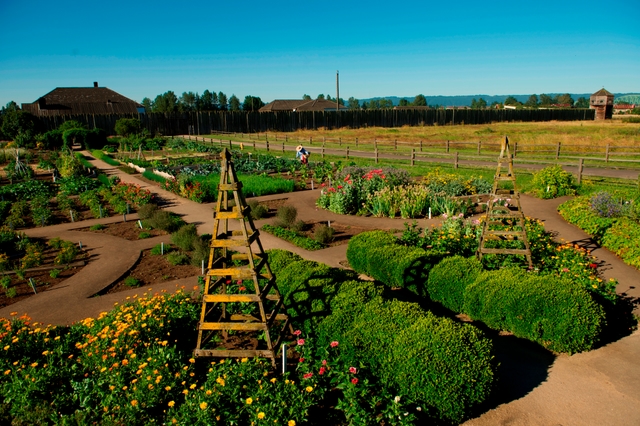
(557, 313)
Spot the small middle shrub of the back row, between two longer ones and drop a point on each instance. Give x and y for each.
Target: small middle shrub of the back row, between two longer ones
(449, 279)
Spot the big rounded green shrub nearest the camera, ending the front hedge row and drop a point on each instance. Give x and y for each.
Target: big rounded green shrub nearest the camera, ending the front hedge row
(445, 367)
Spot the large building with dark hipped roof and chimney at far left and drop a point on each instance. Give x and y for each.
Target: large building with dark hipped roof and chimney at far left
(83, 100)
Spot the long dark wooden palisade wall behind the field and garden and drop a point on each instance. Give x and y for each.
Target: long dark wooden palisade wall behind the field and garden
(208, 122)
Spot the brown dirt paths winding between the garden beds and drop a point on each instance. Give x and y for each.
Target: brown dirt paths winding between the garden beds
(601, 387)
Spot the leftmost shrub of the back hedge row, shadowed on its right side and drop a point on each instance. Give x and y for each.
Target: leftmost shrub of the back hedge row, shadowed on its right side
(381, 257)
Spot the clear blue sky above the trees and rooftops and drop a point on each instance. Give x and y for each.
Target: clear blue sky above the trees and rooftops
(284, 49)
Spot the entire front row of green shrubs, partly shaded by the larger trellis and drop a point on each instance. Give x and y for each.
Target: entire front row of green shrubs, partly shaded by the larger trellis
(443, 367)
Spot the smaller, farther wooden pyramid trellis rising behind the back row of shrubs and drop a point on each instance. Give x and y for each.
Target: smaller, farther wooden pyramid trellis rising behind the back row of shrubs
(504, 220)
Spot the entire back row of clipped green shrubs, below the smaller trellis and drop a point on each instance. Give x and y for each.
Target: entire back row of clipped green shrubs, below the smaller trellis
(555, 312)
